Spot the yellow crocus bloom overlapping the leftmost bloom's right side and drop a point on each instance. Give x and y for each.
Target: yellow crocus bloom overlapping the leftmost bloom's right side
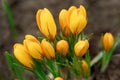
(33, 46)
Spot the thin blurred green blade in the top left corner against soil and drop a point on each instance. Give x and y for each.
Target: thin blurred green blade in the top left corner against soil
(10, 18)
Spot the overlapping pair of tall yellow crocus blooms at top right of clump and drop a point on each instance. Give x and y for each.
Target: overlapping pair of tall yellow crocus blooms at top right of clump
(73, 20)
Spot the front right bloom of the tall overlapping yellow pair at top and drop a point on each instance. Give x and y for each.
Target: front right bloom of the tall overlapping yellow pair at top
(78, 20)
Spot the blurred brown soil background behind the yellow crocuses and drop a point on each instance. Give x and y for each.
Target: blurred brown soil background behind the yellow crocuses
(103, 16)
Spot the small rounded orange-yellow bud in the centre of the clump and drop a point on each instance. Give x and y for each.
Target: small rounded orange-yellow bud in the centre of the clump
(62, 47)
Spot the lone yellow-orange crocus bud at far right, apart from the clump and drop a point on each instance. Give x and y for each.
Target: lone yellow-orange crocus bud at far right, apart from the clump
(108, 41)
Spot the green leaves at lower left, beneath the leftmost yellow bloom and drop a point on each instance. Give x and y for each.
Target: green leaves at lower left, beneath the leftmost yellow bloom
(14, 67)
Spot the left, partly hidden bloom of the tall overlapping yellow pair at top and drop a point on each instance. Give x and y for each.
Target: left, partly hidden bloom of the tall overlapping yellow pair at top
(64, 19)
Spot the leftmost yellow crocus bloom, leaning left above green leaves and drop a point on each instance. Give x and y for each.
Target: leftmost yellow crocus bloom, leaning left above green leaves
(22, 55)
